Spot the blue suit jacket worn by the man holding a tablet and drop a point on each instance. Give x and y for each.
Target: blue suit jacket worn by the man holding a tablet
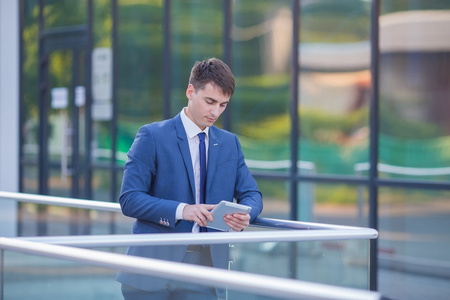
(158, 176)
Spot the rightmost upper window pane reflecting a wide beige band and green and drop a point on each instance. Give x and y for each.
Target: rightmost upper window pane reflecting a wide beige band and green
(414, 107)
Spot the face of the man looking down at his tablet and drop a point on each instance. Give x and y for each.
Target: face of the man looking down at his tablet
(205, 105)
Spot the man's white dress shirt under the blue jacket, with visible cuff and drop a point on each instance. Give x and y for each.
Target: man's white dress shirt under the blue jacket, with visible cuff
(192, 131)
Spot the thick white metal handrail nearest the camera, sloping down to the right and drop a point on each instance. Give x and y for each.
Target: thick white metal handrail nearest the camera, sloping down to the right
(249, 283)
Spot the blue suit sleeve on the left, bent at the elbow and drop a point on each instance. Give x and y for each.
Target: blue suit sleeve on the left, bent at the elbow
(139, 172)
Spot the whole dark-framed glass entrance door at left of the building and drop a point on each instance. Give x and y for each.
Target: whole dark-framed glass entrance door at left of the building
(63, 110)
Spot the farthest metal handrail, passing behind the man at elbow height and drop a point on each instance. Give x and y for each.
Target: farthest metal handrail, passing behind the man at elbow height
(115, 207)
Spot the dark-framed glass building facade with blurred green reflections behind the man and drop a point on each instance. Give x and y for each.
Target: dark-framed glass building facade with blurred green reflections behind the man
(342, 109)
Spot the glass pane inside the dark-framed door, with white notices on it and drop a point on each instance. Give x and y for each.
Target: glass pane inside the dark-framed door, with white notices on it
(66, 122)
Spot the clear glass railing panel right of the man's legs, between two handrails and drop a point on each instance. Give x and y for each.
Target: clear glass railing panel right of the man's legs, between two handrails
(336, 262)
